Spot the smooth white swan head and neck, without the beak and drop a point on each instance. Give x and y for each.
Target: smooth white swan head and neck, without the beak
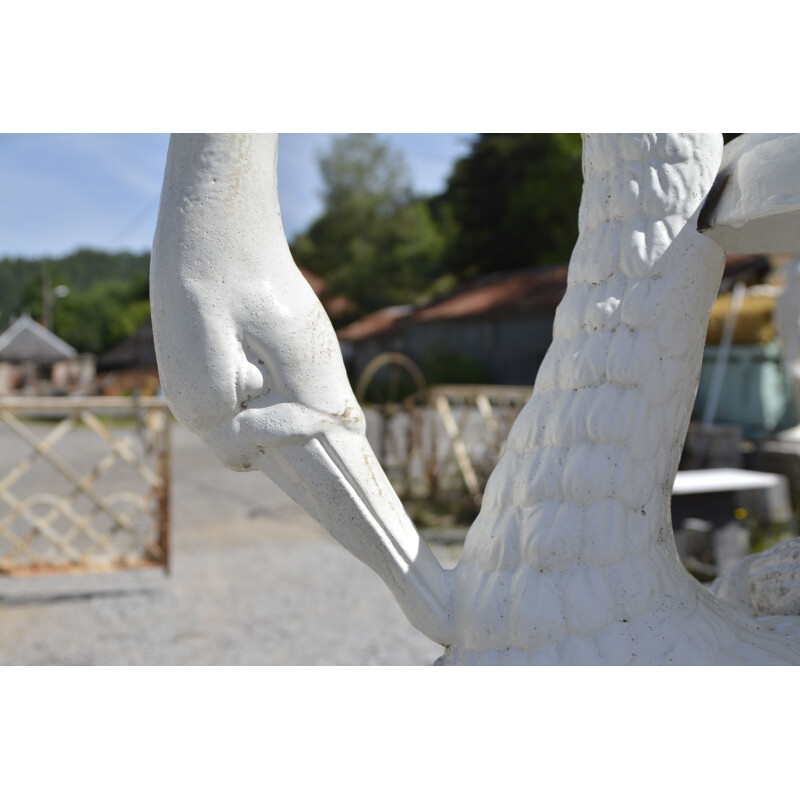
(243, 343)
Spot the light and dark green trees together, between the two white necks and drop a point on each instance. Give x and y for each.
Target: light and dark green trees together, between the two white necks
(512, 202)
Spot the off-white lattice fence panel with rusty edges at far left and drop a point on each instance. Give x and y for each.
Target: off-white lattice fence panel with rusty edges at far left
(84, 484)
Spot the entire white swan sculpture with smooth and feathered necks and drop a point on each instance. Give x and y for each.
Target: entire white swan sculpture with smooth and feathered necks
(572, 558)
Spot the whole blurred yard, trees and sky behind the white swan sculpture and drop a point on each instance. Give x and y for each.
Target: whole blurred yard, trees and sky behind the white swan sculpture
(440, 259)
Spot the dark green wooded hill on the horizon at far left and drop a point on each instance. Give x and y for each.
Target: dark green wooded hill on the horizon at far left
(21, 278)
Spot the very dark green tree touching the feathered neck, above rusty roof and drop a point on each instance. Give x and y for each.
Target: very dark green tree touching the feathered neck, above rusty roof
(512, 202)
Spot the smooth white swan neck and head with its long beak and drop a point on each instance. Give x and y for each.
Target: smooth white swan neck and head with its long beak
(251, 363)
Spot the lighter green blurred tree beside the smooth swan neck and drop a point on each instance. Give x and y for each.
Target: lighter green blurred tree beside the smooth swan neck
(374, 243)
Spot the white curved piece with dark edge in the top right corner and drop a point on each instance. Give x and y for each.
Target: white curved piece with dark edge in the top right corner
(754, 204)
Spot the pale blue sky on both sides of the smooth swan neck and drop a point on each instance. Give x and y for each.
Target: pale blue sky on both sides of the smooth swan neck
(62, 191)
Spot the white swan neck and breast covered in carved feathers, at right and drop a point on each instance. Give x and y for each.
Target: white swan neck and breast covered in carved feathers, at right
(572, 558)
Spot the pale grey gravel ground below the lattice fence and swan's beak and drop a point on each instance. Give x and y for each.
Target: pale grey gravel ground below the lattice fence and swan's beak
(254, 581)
